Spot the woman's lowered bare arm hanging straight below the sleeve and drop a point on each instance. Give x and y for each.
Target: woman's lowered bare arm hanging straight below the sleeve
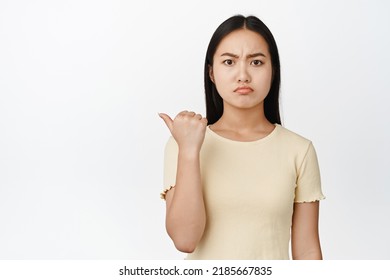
(305, 241)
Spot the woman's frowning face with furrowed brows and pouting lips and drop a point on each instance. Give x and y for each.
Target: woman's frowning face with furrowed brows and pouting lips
(242, 69)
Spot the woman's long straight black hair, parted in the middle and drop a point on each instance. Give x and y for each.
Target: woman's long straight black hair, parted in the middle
(214, 103)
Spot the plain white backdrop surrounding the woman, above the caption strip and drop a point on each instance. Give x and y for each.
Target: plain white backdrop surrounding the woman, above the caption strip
(81, 145)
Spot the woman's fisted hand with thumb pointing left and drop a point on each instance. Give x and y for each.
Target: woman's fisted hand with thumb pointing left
(188, 129)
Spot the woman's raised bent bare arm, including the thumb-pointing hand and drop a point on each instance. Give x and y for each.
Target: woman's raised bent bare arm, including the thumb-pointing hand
(185, 210)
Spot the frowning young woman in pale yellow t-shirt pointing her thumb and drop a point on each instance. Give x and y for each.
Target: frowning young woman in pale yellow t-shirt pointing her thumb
(238, 184)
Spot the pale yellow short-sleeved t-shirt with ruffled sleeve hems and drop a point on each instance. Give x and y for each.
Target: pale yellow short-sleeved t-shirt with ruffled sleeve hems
(249, 190)
